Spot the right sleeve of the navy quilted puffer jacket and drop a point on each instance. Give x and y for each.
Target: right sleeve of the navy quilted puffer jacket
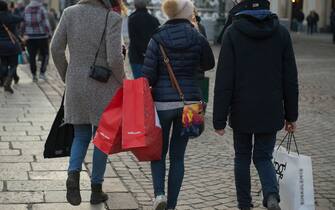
(207, 60)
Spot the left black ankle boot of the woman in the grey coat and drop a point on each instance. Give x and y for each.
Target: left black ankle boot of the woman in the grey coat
(73, 189)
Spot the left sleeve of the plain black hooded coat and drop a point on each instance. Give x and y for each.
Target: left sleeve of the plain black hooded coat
(224, 83)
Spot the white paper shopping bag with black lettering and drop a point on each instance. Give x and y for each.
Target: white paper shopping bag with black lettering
(295, 177)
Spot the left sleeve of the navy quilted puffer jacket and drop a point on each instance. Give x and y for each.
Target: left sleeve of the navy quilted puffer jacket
(150, 66)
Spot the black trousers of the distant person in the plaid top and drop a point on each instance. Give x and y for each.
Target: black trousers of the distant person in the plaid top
(40, 46)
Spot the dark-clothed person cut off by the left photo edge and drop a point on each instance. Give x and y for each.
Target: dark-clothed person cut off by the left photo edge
(10, 46)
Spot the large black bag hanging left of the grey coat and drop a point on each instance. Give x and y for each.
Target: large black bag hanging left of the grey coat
(60, 138)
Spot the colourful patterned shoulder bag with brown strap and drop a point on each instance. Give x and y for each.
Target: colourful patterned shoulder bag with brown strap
(193, 119)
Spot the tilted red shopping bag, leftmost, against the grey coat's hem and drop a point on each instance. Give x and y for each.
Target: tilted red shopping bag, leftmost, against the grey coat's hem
(109, 133)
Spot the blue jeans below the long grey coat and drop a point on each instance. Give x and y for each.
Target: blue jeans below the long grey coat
(82, 137)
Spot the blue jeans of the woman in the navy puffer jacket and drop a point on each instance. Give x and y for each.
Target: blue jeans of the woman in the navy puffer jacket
(168, 119)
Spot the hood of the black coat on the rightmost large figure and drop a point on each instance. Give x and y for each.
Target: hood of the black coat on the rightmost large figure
(258, 26)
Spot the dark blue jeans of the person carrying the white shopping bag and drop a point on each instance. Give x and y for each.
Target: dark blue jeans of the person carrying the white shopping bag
(261, 153)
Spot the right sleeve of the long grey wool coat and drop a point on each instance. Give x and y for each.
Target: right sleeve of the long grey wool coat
(114, 46)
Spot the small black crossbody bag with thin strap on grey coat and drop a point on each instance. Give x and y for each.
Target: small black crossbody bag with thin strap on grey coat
(100, 73)
